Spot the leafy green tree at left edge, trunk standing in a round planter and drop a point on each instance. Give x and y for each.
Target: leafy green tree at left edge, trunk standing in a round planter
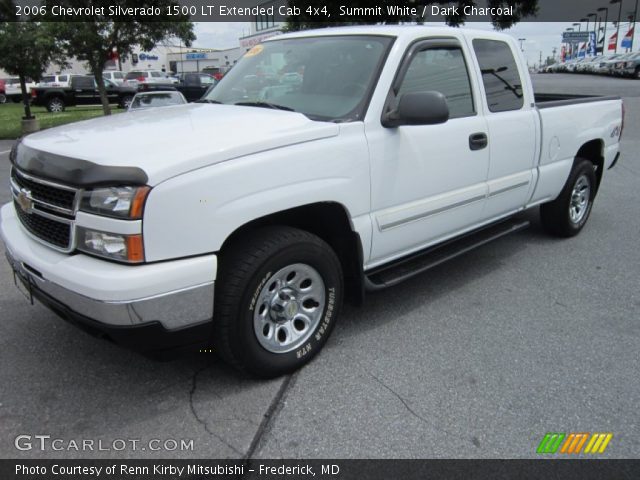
(27, 50)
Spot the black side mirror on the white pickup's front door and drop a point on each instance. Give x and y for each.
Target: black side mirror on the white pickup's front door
(418, 108)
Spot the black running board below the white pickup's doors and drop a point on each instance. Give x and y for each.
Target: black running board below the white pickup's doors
(417, 263)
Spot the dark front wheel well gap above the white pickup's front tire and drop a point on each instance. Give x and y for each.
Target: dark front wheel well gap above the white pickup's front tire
(331, 222)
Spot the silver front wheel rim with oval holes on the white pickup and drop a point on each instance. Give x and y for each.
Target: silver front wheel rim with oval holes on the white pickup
(289, 308)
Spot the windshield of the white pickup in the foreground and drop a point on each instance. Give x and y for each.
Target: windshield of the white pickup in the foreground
(324, 78)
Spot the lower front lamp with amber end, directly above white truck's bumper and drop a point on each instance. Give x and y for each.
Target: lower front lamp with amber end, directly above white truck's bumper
(125, 248)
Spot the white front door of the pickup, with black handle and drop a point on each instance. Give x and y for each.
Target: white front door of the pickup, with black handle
(428, 181)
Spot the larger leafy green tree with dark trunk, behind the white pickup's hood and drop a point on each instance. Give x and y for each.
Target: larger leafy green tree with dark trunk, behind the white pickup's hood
(95, 38)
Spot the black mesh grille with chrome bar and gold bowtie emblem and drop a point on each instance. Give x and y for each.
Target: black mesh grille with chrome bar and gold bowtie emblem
(45, 209)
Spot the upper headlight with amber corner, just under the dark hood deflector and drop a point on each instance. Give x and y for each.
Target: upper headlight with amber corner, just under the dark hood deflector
(119, 202)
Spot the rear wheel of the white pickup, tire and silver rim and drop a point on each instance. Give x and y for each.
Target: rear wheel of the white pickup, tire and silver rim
(557, 217)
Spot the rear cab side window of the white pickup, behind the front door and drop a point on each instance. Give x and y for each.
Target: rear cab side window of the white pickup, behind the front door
(502, 82)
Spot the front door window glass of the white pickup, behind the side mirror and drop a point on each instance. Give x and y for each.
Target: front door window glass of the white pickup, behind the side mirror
(441, 69)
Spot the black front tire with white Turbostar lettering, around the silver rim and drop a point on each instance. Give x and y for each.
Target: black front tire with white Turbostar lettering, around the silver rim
(244, 271)
